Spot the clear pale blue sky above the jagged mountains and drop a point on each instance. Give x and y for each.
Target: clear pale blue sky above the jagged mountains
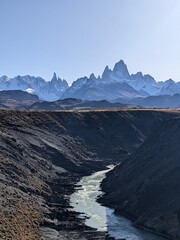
(77, 37)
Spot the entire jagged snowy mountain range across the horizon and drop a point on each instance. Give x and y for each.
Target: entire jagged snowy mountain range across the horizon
(113, 84)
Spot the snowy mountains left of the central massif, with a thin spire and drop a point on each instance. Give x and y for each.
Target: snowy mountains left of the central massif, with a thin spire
(49, 91)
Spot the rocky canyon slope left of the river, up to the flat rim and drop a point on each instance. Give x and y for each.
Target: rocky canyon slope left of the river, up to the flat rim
(43, 154)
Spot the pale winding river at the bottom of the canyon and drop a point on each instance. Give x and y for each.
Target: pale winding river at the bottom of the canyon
(100, 217)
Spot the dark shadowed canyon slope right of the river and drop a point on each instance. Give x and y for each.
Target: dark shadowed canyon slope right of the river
(145, 187)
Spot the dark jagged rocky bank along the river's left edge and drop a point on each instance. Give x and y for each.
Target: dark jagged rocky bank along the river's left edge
(62, 222)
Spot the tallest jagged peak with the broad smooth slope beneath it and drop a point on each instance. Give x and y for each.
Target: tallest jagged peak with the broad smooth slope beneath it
(111, 85)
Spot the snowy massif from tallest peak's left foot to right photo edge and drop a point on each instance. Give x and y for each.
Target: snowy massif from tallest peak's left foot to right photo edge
(119, 83)
